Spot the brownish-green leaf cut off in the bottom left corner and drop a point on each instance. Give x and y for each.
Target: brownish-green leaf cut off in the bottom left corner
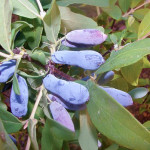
(5, 142)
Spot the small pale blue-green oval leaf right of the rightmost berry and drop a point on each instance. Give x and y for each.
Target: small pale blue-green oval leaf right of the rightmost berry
(138, 92)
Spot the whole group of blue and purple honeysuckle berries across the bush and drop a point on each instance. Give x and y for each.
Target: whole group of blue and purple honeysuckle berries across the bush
(66, 94)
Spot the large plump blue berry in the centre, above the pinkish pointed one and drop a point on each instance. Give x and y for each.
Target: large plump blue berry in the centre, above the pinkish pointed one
(71, 92)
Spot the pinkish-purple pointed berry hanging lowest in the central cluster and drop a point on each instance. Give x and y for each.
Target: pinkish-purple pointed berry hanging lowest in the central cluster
(61, 115)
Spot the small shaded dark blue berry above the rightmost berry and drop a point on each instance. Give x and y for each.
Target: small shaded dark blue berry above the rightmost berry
(105, 77)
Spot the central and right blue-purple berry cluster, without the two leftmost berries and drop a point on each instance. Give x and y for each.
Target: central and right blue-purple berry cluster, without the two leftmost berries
(71, 95)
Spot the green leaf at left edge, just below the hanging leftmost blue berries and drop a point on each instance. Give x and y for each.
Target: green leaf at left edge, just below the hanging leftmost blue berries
(11, 123)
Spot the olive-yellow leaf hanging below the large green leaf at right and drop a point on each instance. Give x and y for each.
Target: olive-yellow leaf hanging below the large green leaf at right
(132, 72)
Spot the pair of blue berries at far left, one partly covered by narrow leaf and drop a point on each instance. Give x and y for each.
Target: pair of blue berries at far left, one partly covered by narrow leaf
(18, 103)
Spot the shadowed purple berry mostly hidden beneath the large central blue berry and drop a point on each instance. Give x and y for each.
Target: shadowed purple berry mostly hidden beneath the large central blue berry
(66, 104)
